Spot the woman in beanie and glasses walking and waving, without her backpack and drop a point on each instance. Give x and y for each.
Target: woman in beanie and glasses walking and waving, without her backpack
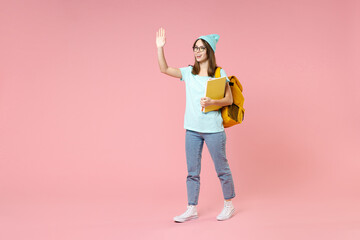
(201, 126)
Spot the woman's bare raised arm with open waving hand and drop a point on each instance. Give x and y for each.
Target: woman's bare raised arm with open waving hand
(164, 68)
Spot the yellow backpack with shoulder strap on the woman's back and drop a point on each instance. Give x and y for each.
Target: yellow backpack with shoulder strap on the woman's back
(234, 113)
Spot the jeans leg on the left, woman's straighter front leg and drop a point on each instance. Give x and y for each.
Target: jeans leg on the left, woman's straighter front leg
(194, 145)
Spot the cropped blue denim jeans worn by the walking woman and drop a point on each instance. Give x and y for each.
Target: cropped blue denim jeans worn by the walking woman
(215, 142)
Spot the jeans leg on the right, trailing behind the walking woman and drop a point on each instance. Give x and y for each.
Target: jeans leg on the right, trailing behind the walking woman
(216, 144)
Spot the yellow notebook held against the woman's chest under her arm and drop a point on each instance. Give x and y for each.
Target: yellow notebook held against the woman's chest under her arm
(215, 89)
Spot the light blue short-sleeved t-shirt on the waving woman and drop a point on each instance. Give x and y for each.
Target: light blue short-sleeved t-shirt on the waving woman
(194, 118)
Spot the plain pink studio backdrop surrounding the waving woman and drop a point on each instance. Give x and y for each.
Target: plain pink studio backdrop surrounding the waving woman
(92, 138)
